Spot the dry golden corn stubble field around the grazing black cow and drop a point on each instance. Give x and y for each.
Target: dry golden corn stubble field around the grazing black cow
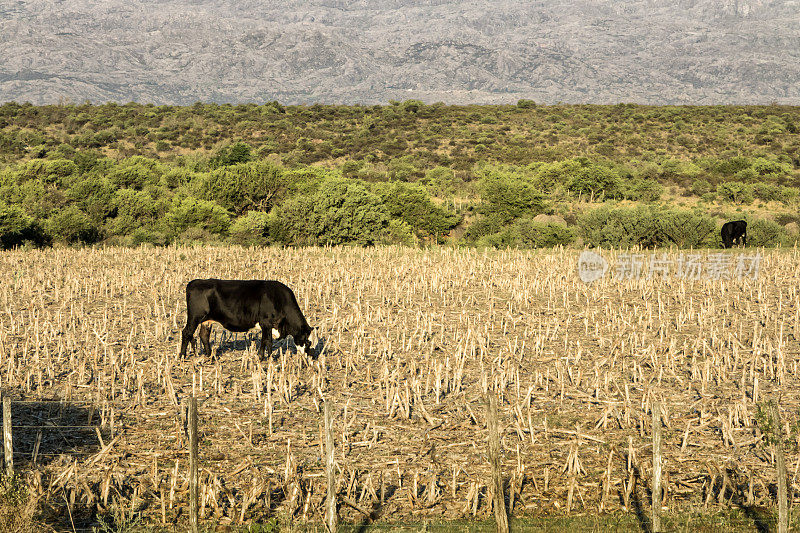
(412, 340)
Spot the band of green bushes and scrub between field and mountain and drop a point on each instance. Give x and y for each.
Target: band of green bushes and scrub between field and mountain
(410, 173)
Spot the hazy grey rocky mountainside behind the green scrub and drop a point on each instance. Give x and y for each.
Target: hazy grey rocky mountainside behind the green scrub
(680, 51)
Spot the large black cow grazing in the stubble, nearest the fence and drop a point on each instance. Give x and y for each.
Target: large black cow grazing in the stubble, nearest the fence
(239, 305)
